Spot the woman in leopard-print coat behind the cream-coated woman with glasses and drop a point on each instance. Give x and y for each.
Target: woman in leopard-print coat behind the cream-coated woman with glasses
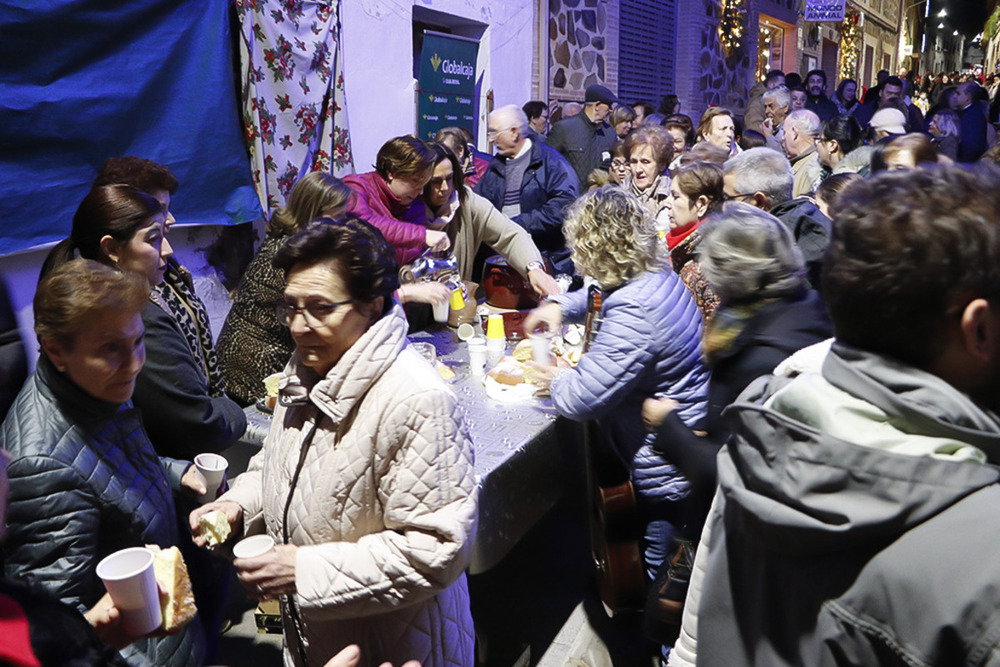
(252, 344)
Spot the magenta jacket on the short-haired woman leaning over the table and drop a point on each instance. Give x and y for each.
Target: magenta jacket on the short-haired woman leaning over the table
(402, 226)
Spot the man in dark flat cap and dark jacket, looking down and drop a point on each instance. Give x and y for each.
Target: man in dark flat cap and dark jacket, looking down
(585, 139)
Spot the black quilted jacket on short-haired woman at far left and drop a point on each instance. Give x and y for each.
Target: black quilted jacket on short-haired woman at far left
(85, 482)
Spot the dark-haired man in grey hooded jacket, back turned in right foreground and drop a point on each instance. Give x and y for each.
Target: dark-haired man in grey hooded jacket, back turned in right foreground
(857, 500)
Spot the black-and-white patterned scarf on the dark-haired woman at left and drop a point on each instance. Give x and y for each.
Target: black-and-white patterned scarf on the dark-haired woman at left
(176, 296)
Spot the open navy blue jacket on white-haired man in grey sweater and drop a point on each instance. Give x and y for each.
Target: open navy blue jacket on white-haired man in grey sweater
(548, 187)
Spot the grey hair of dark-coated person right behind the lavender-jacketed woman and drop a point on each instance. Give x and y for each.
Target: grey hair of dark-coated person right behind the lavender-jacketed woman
(747, 255)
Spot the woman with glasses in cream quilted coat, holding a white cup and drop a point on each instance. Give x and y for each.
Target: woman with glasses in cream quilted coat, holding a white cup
(365, 481)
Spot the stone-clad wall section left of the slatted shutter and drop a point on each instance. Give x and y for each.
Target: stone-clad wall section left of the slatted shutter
(583, 39)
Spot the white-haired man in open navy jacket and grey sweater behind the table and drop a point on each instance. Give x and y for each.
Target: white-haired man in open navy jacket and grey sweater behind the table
(529, 183)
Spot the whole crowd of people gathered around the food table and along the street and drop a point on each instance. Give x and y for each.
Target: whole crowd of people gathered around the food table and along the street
(801, 518)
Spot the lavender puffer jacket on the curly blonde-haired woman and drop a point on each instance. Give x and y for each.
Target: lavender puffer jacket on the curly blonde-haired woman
(648, 345)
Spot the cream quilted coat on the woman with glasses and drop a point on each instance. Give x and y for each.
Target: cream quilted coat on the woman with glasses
(384, 511)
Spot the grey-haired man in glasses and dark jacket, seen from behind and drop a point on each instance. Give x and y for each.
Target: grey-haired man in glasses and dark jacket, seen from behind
(763, 177)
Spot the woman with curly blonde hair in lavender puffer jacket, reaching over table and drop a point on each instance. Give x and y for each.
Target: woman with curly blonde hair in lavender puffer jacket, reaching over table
(647, 345)
